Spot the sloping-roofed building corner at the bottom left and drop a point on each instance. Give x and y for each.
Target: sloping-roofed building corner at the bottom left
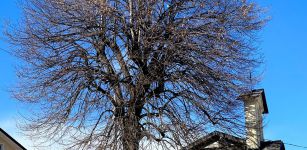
(9, 143)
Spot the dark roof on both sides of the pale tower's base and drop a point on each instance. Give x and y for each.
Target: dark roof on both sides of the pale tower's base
(233, 143)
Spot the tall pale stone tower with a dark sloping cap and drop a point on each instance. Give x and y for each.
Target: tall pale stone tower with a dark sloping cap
(254, 107)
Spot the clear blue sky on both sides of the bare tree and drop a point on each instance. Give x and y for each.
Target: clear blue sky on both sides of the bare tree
(283, 43)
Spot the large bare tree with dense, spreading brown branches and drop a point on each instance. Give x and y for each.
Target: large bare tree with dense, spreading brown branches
(123, 74)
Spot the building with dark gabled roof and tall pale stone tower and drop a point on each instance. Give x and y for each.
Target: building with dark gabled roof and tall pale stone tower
(255, 106)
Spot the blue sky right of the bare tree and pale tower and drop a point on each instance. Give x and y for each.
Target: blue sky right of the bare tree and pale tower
(284, 45)
